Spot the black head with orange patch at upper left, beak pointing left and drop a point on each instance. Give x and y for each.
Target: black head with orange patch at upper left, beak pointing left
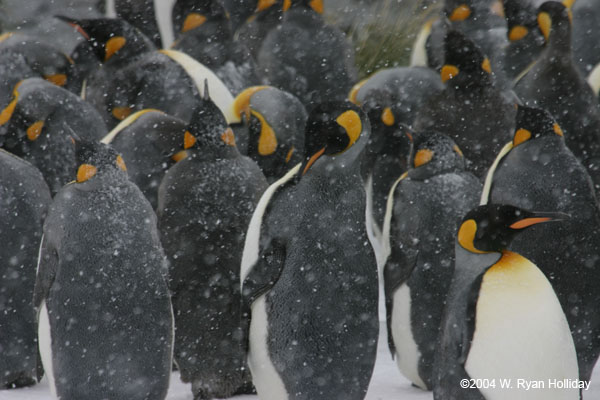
(113, 41)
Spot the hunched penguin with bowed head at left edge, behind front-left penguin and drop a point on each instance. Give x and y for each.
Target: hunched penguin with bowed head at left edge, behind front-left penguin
(36, 125)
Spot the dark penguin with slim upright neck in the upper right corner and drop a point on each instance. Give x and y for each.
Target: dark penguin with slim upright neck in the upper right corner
(555, 84)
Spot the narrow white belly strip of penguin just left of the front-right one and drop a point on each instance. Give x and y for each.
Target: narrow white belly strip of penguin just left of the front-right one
(407, 352)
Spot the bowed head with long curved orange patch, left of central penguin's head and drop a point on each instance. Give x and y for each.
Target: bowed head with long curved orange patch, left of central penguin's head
(276, 122)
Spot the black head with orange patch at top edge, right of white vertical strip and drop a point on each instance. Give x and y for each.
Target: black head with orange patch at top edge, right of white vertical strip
(191, 14)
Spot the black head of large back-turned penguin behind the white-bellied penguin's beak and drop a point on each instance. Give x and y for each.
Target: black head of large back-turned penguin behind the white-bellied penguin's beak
(532, 123)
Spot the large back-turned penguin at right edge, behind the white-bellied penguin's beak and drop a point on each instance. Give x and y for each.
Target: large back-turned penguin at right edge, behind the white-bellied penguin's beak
(539, 171)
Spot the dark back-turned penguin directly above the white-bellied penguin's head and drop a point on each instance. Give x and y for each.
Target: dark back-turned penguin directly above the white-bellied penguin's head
(471, 109)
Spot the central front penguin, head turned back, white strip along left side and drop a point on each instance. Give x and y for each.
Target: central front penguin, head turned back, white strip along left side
(308, 272)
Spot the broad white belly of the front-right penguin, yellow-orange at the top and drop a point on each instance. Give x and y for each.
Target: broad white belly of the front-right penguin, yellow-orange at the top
(521, 334)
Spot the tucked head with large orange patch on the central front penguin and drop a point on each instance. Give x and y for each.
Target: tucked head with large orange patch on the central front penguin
(337, 130)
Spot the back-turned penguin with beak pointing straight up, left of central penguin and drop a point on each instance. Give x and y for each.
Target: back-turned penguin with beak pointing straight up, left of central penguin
(205, 205)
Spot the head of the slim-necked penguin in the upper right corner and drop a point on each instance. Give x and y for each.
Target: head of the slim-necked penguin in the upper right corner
(554, 21)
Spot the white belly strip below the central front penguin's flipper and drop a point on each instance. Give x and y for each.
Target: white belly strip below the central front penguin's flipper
(265, 377)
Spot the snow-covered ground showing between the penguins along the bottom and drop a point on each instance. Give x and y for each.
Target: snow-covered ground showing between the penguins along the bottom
(387, 384)
